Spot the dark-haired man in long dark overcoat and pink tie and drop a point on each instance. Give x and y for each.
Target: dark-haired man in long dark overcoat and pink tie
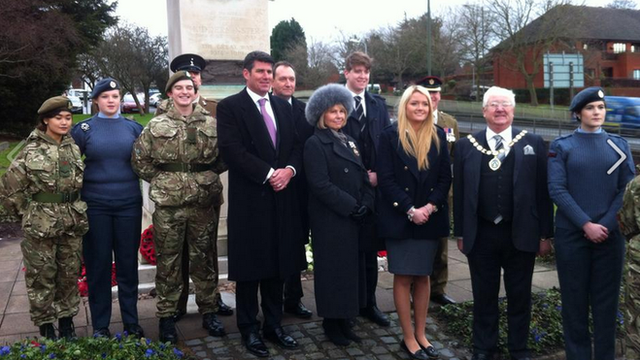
(257, 140)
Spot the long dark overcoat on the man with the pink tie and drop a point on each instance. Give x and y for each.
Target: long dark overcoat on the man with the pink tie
(263, 225)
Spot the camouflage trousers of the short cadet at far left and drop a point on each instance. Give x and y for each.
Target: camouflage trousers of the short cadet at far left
(52, 270)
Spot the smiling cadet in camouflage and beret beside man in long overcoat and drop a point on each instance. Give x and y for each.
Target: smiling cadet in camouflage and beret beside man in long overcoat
(178, 154)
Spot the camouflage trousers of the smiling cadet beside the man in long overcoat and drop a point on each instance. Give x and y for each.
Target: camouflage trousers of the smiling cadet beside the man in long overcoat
(173, 227)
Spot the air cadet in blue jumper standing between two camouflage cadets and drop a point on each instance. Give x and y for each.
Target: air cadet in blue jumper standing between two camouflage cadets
(112, 192)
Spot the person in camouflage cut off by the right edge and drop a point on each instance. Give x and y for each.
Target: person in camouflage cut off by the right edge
(629, 220)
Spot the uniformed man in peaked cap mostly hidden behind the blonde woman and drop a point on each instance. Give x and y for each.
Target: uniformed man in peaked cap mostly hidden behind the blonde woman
(450, 126)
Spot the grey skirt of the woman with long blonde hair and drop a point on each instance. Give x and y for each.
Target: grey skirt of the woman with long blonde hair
(411, 256)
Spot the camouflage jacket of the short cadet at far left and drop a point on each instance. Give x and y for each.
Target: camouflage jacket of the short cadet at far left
(43, 165)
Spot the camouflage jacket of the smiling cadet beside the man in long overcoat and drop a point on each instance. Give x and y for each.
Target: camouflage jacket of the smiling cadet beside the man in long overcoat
(172, 138)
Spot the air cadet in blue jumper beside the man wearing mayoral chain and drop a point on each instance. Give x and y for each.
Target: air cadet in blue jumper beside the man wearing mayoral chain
(588, 172)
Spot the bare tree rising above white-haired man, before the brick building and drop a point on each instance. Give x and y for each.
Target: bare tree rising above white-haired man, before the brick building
(525, 40)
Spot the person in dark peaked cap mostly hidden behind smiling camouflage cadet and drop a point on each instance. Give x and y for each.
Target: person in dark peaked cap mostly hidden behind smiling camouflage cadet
(194, 65)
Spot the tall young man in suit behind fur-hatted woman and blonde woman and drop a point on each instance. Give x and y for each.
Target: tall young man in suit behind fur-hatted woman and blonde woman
(365, 123)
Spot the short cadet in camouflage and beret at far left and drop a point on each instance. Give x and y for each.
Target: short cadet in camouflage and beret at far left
(42, 186)
